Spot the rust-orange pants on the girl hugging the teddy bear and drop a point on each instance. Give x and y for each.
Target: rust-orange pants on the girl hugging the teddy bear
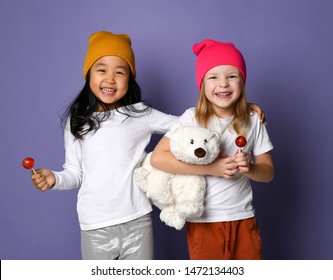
(236, 240)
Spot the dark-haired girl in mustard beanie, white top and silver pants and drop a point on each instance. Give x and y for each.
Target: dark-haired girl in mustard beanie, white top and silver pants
(107, 129)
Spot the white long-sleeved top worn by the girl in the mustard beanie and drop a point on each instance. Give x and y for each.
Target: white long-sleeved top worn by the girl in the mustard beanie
(102, 165)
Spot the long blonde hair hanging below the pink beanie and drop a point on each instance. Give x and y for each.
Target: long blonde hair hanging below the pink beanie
(205, 111)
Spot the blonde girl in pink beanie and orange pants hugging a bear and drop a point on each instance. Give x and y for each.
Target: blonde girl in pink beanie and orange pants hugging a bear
(228, 228)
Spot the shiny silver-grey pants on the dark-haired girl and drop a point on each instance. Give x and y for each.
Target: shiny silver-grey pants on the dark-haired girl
(129, 241)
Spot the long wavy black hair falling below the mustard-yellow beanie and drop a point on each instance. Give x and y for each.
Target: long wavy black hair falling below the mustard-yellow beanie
(81, 110)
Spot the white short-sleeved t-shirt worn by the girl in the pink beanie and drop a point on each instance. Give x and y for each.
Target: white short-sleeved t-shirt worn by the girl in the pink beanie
(230, 199)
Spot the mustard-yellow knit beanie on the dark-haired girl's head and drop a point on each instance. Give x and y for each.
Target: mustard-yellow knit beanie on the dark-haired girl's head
(104, 43)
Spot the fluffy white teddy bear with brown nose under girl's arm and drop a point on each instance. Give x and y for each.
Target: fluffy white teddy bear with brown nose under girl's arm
(180, 196)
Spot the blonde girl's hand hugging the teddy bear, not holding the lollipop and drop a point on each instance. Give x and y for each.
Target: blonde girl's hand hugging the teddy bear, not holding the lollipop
(224, 166)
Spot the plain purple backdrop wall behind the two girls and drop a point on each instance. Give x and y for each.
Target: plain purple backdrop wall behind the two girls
(288, 47)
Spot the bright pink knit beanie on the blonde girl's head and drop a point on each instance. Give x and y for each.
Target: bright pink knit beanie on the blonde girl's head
(211, 53)
